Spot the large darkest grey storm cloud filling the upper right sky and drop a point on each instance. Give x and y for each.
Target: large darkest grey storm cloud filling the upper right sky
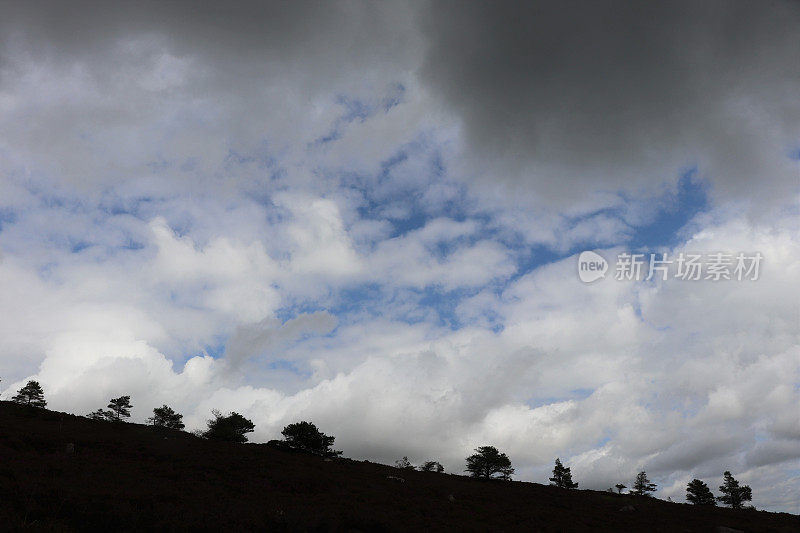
(598, 95)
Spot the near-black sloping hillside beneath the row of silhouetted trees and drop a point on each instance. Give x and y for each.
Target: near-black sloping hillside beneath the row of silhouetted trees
(133, 477)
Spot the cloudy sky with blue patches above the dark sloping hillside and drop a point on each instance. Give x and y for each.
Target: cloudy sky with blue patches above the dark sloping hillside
(369, 215)
